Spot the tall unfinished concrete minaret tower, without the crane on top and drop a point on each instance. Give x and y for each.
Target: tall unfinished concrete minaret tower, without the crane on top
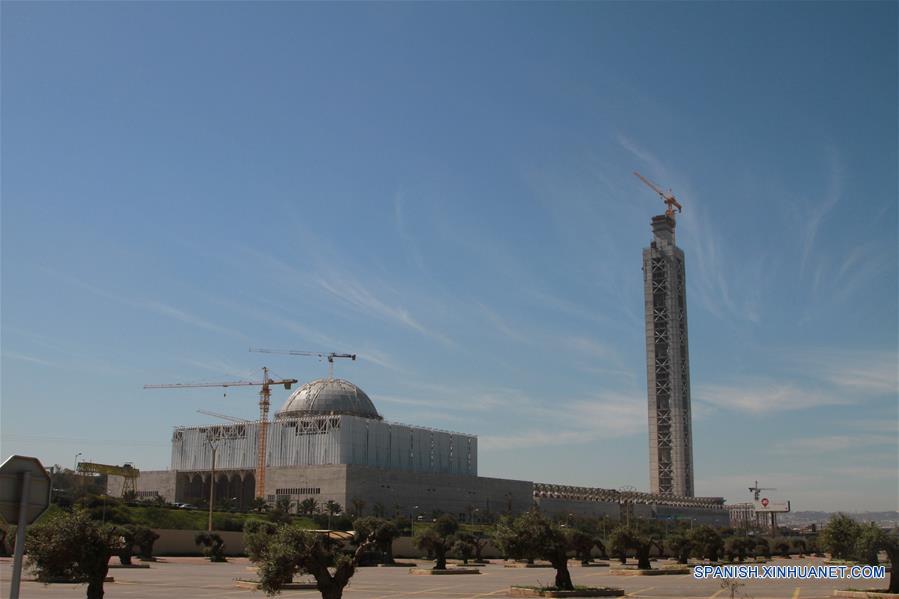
(667, 363)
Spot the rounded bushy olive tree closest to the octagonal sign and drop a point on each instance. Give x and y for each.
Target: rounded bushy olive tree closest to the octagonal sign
(70, 545)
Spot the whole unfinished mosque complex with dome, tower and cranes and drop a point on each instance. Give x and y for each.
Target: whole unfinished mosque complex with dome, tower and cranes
(328, 441)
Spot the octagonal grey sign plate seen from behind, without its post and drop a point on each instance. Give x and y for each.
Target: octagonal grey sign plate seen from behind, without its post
(12, 476)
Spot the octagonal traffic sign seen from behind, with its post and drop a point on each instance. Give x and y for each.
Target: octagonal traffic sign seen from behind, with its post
(24, 496)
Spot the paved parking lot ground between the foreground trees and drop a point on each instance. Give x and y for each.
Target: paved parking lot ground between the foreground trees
(177, 577)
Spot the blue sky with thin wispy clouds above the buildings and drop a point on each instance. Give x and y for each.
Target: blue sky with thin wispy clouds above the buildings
(446, 190)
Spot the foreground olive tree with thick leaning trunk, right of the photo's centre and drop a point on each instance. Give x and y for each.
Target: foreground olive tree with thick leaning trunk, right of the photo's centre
(532, 535)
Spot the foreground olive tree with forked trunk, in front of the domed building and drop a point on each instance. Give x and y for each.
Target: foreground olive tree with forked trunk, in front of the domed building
(293, 549)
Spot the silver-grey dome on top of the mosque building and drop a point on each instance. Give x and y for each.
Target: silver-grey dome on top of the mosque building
(328, 396)
